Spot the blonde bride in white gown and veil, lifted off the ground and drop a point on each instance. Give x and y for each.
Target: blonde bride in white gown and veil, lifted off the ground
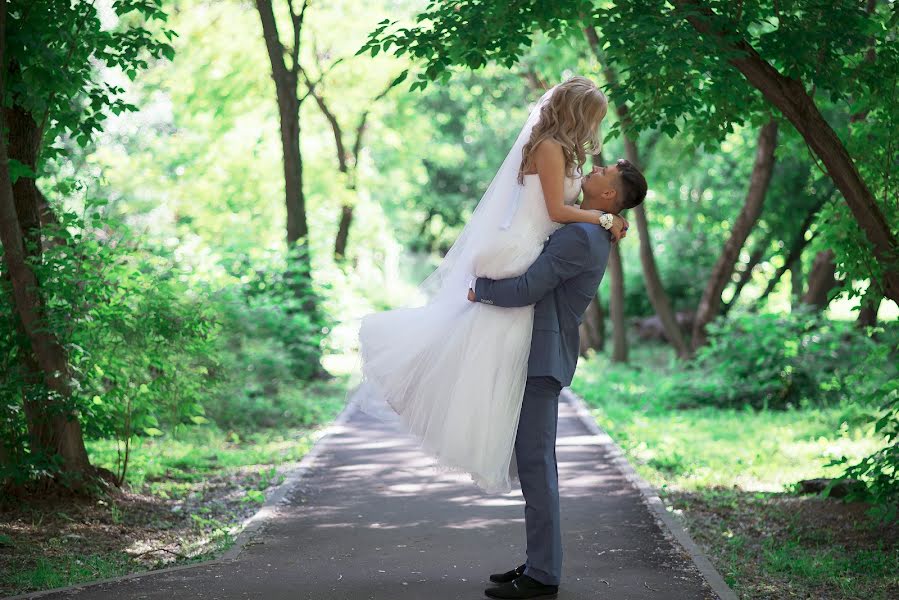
(454, 371)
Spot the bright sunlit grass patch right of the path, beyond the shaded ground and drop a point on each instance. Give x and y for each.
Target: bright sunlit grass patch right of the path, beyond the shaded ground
(701, 447)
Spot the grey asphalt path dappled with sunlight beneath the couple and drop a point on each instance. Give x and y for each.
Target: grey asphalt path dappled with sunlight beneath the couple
(368, 521)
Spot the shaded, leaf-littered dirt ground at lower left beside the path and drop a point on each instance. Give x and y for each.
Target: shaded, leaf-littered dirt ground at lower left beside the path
(49, 541)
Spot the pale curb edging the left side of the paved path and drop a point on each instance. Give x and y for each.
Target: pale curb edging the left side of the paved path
(250, 527)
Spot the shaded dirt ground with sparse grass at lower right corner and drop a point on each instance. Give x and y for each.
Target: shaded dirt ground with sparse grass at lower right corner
(785, 546)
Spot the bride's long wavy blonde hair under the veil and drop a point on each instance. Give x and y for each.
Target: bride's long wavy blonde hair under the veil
(571, 117)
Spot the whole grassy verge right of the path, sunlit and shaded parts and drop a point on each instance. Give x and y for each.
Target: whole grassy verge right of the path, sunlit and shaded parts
(729, 475)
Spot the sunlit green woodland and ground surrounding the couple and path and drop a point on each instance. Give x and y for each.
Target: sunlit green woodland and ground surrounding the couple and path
(202, 198)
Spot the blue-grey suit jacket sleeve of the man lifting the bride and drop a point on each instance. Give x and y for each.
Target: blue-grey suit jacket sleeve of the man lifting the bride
(565, 256)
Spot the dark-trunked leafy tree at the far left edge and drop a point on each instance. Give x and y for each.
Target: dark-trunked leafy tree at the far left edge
(51, 90)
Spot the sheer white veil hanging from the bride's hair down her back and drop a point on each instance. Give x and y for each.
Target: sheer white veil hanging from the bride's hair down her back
(449, 282)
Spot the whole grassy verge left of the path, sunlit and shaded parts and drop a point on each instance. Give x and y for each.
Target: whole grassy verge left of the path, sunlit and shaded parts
(187, 494)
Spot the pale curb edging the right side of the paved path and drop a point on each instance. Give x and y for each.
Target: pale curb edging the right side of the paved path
(651, 499)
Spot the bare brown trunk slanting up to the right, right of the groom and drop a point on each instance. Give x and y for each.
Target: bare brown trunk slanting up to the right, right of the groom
(746, 220)
